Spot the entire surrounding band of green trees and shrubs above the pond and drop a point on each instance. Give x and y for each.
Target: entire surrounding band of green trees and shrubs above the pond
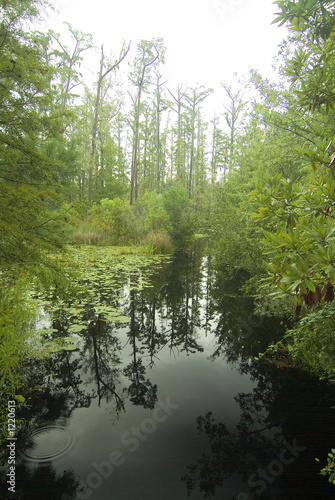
(129, 161)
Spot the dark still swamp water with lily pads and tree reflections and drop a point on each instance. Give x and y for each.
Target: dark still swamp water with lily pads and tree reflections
(156, 394)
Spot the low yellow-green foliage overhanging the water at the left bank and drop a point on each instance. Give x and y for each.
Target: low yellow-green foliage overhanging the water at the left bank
(19, 311)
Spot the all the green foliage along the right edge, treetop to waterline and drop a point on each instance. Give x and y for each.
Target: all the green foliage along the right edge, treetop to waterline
(295, 207)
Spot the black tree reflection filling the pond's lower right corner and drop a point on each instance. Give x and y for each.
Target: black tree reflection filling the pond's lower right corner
(285, 423)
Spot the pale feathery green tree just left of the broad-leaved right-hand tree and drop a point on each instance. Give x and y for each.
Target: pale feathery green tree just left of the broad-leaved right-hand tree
(267, 148)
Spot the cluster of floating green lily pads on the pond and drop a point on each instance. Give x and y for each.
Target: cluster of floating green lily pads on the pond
(104, 274)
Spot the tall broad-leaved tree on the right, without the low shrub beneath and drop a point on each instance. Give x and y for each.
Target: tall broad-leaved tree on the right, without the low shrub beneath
(299, 241)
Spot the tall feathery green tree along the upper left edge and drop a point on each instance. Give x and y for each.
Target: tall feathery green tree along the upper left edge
(28, 178)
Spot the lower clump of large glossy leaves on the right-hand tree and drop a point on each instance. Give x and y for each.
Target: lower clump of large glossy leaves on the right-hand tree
(299, 242)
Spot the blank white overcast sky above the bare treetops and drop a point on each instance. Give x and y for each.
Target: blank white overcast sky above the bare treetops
(207, 40)
